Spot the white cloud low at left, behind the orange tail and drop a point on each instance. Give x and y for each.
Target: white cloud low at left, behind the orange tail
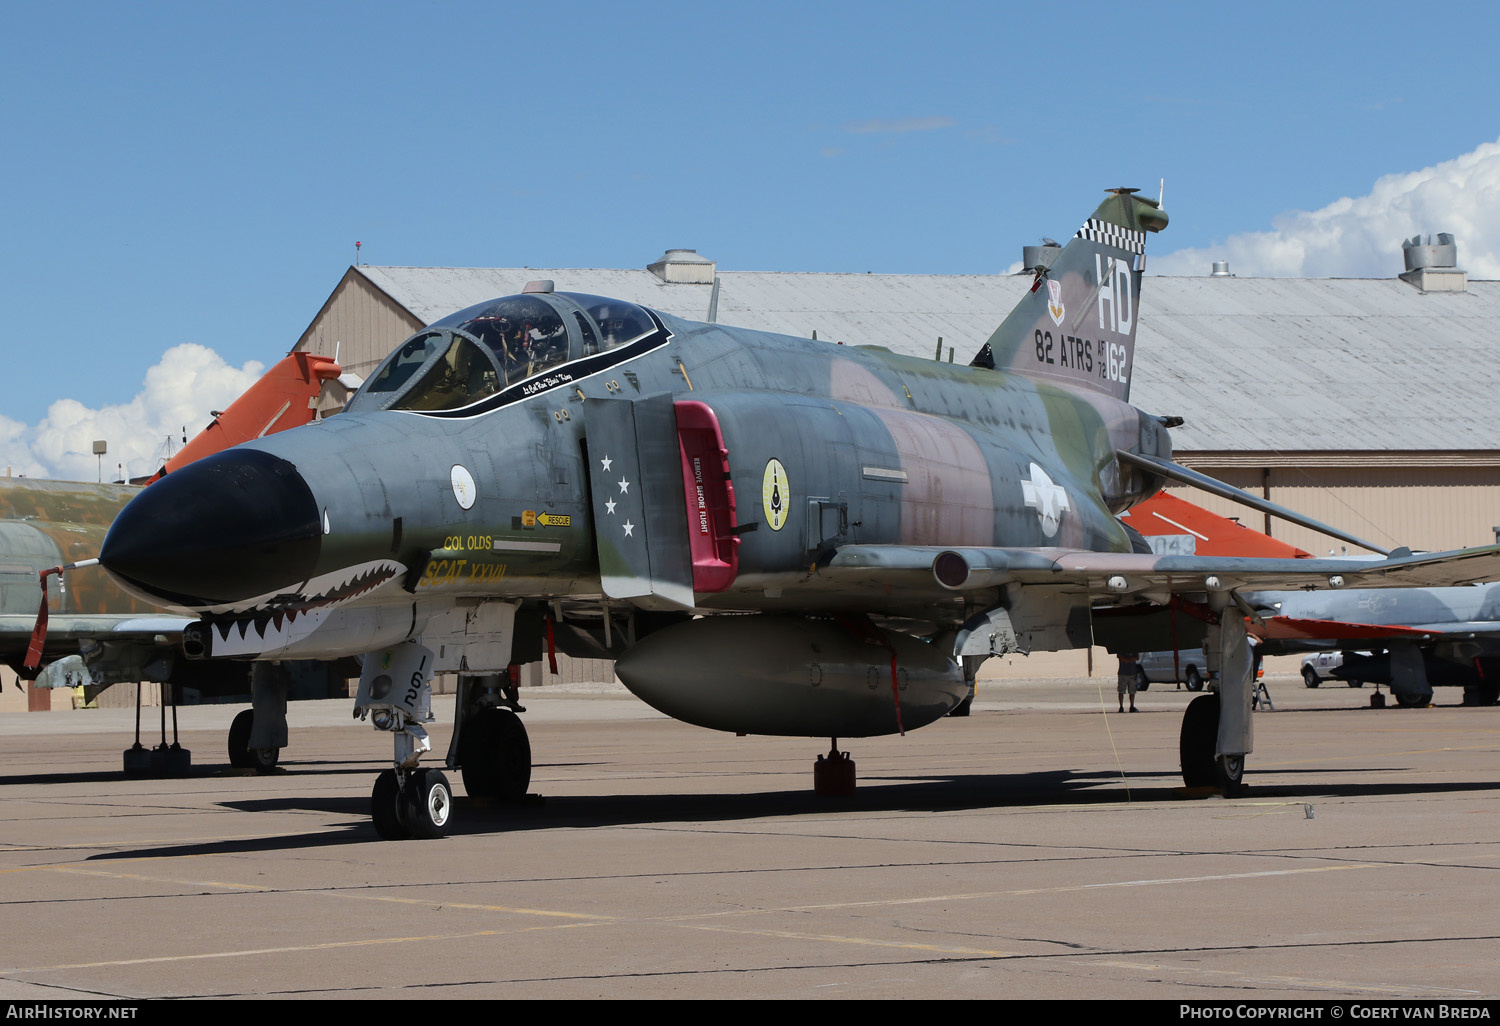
(179, 392)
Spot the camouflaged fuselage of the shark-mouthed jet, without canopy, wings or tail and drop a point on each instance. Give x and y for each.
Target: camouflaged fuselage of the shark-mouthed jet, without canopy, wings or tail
(518, 494)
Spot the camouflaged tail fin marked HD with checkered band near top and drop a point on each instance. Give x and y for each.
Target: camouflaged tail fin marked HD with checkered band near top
(1078, 325)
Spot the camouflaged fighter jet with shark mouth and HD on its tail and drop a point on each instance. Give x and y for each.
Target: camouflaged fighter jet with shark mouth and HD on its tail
(772, 535)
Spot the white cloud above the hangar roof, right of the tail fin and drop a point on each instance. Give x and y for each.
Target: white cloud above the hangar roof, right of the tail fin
(1361, 238)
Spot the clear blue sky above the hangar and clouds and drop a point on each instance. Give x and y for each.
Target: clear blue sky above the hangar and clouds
(199, 173)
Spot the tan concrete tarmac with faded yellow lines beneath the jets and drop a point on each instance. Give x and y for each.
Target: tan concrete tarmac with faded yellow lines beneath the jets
(1040, 848)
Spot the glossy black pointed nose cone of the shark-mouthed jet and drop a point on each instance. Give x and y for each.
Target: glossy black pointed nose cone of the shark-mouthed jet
(232, 527)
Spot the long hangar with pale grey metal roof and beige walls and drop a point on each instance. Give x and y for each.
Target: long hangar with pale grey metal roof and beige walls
(1363, 403)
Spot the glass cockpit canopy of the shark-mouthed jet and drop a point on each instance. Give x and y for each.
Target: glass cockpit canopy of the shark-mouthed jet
(499, 346)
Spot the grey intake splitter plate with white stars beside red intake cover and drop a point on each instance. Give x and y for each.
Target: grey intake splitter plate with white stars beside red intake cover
(635, 473)
